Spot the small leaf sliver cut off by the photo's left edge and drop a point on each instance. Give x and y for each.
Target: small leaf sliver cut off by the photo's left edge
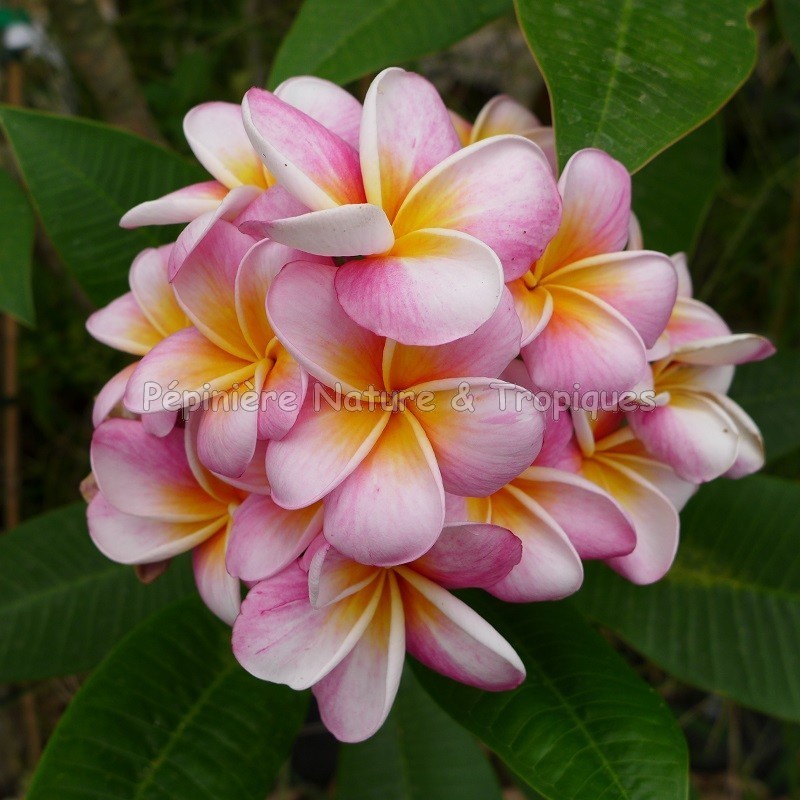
(16, 248)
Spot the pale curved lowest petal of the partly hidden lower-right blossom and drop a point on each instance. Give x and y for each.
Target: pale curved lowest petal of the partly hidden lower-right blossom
(654, 517)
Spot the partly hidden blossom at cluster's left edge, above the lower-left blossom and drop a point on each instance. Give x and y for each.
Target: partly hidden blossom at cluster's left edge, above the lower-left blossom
(135, 323)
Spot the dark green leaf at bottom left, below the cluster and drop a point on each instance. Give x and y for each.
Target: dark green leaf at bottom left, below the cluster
(171, 715)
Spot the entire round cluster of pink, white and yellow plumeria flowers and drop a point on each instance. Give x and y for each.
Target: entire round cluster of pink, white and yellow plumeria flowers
(349, 398)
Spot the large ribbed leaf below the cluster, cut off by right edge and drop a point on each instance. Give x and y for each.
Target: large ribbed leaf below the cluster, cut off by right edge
(726, 617)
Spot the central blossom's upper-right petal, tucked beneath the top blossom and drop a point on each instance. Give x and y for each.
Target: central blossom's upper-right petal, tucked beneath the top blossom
(484, 353)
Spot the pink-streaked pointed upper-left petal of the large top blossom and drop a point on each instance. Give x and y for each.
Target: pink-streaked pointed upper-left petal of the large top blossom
(318, 167)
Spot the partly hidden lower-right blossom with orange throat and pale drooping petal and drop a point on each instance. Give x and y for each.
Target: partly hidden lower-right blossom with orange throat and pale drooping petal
(647, 489)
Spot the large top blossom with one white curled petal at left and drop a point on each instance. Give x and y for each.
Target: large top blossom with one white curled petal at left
(426, 231)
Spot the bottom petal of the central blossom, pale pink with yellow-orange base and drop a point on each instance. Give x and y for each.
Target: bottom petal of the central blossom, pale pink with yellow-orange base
(390, 509)
